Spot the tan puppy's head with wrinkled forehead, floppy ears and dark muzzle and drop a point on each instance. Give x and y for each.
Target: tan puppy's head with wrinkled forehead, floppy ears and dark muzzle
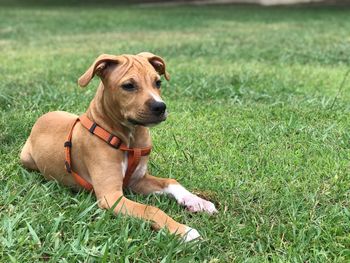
(132, 86)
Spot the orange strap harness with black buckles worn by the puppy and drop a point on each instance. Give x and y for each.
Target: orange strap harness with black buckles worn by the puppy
(134, 154)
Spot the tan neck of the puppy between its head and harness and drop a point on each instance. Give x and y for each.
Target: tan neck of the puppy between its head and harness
(131, 135)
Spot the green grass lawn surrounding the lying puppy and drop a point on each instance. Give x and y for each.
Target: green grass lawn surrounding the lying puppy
(259, 122)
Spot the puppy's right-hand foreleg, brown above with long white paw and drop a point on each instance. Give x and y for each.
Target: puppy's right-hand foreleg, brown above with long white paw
(151, 184)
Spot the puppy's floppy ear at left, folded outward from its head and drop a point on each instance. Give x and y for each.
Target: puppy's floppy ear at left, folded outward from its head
(97, 68)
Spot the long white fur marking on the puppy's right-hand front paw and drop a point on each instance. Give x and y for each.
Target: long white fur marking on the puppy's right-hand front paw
(192, 202)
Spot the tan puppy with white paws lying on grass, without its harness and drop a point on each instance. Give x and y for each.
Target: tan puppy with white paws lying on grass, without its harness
(126, 103)
